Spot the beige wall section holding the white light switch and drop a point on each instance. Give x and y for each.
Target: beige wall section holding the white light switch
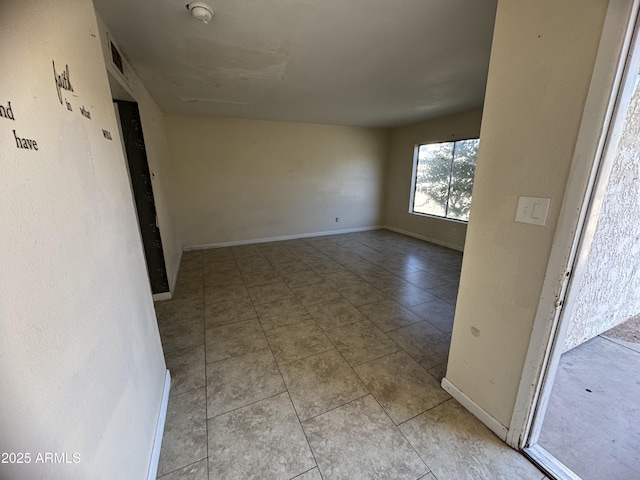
(541, 64)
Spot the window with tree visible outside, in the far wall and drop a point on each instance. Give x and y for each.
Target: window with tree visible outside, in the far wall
(443, 179)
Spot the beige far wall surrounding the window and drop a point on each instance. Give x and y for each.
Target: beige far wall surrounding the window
(460, 126)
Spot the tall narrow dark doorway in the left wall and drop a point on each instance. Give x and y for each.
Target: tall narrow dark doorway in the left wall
(143, 194)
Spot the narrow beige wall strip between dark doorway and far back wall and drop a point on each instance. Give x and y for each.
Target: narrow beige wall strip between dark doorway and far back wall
(155, 141)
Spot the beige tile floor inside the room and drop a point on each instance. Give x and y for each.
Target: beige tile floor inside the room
(320, 359)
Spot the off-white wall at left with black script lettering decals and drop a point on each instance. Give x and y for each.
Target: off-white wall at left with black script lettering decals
(81, 362)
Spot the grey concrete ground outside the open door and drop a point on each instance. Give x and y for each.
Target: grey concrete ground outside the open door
(592, 423)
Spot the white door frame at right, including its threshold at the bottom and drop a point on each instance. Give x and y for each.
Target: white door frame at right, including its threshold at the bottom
(609, 95)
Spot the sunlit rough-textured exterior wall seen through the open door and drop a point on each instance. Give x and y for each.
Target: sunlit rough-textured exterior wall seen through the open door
(609, 288)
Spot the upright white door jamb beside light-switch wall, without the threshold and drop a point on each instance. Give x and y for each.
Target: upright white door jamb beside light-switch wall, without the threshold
(544, 349)
